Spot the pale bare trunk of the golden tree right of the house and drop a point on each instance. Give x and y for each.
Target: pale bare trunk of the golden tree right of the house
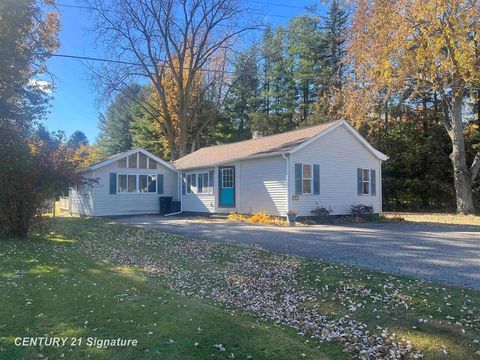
(461, 172)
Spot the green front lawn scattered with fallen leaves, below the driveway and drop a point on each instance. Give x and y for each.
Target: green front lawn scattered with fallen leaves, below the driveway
(179, 298)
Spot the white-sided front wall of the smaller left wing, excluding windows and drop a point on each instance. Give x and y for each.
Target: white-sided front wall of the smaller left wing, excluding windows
(106, 204)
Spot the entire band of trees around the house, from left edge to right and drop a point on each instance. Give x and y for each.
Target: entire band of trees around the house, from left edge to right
(183, 75)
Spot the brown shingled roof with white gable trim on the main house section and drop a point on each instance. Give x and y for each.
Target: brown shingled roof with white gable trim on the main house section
(287, 142)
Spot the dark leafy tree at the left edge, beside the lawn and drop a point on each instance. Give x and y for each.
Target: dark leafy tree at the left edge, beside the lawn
(34, 165)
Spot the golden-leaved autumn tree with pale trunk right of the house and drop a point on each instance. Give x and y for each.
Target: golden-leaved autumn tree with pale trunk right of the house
(420, 46)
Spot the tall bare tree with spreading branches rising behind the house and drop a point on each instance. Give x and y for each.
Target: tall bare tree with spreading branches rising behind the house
(151, 38)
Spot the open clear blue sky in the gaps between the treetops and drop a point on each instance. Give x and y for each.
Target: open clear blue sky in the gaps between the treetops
(75, 106)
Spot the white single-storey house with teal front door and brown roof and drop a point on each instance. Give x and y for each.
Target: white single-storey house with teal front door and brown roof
(329, 165)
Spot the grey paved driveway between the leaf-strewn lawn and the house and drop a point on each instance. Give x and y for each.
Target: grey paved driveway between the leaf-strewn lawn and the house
(444, 253)
